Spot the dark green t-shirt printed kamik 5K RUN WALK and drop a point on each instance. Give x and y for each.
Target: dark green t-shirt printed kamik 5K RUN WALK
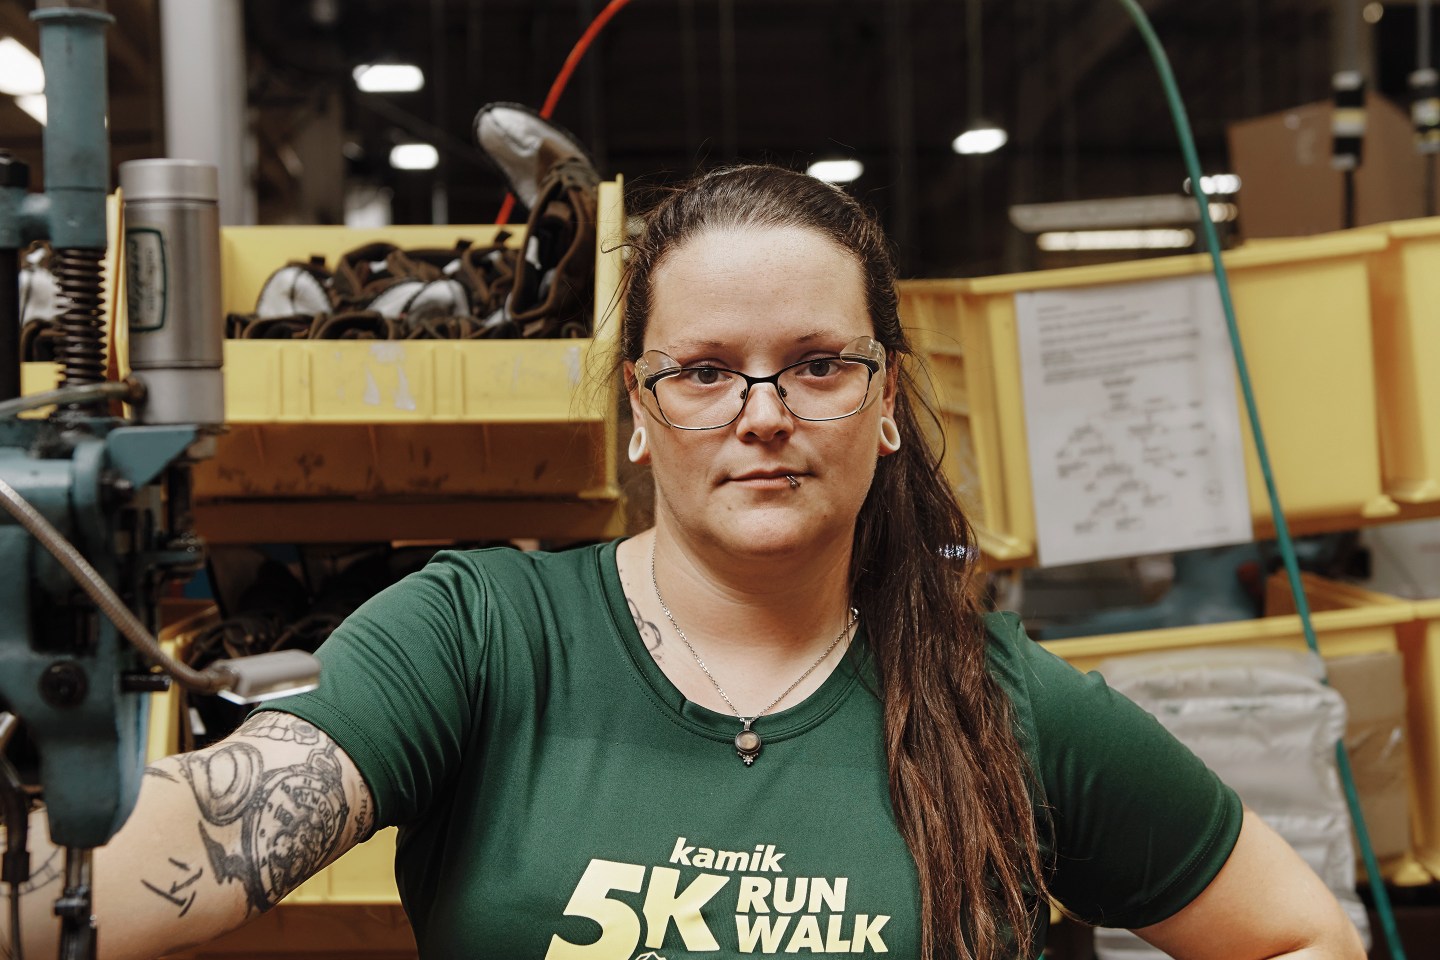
(559, 798)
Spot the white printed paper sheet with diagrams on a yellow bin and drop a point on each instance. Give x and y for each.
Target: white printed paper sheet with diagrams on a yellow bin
(1133, 421)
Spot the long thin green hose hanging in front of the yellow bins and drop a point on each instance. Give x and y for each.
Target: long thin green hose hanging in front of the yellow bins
(1292, 568)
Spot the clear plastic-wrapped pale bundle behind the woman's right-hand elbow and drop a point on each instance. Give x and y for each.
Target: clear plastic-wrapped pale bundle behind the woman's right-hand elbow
(1268, 726)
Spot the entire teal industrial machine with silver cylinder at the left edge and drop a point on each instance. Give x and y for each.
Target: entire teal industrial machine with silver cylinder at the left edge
(96, 517)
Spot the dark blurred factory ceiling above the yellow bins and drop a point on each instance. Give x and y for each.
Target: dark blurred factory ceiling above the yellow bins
(675, 86)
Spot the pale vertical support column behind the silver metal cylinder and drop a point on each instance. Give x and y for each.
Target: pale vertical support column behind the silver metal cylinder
(204, 55)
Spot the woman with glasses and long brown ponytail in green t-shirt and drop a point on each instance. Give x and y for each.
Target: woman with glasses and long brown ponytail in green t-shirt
(777, 722)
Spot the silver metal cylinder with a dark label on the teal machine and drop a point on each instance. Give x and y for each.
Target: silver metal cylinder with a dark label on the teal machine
(174, 289)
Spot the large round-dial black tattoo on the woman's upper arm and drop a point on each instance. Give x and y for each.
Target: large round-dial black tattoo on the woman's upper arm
(282, 824)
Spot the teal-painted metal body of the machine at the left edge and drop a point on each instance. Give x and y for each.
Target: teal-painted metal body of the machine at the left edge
(66, 671)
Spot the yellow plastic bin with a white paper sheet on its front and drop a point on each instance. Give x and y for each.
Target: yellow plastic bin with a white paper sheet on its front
(1305, 320)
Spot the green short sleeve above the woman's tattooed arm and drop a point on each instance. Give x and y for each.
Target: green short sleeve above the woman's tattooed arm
(400, 686)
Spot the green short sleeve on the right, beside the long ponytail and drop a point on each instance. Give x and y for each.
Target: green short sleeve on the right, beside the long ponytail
(1140, 824)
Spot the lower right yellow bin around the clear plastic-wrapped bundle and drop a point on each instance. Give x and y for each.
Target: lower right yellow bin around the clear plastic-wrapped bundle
(1349, 622)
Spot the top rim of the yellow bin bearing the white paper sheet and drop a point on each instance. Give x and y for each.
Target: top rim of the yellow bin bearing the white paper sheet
(1277, 254)
